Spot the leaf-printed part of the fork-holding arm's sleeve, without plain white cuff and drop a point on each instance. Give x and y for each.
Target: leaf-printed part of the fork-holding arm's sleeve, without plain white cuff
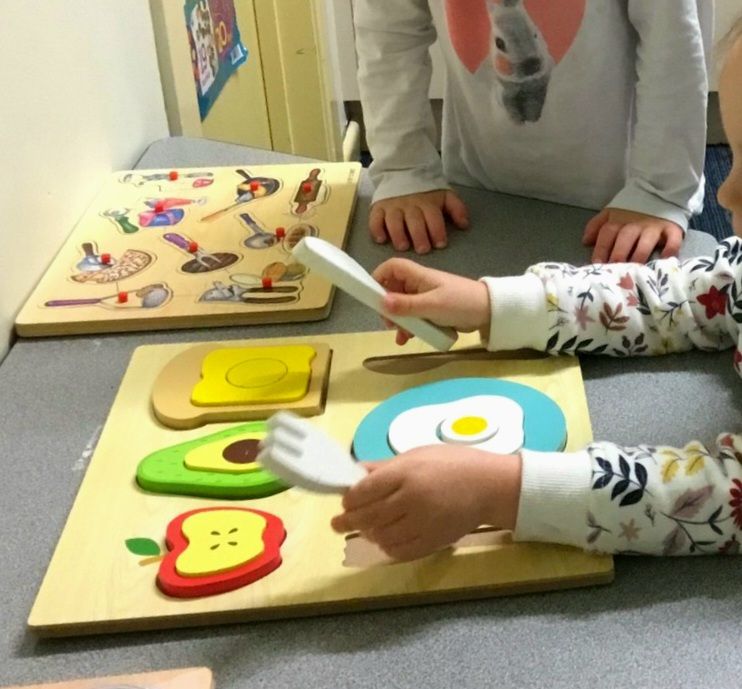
(665, 501)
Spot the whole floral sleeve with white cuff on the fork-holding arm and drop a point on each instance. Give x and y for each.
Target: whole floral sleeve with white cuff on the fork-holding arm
(643, 500)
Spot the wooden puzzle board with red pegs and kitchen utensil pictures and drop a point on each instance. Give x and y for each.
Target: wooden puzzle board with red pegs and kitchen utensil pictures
(194, 248)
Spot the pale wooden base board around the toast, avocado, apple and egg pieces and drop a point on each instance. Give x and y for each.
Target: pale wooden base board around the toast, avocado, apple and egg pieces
(103, 575)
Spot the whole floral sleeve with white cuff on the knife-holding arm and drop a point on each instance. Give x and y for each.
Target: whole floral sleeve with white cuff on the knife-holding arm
(620, 309)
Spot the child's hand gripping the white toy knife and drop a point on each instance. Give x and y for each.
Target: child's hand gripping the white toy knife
(443, 298)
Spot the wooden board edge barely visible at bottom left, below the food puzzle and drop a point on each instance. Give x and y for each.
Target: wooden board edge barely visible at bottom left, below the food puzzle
(186, 678)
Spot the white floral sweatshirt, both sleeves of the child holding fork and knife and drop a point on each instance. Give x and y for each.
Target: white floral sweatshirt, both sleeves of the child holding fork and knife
(646, 499)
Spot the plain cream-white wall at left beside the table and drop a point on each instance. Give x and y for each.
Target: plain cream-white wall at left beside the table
(81, 96)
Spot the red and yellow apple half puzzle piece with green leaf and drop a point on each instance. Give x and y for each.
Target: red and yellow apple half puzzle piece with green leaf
(217, 549)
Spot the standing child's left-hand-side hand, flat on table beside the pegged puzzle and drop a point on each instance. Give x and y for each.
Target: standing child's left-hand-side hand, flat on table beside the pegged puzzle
(417, 217)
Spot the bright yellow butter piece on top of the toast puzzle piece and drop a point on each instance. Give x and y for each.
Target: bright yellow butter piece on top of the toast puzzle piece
(254, 375)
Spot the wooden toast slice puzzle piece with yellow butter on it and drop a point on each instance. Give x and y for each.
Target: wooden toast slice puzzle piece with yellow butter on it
(210, 383)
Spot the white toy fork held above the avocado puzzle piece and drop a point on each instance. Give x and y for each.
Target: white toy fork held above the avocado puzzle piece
(302, 455)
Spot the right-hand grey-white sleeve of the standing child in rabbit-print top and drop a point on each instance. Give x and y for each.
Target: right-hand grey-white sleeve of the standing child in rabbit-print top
(667, 152)
